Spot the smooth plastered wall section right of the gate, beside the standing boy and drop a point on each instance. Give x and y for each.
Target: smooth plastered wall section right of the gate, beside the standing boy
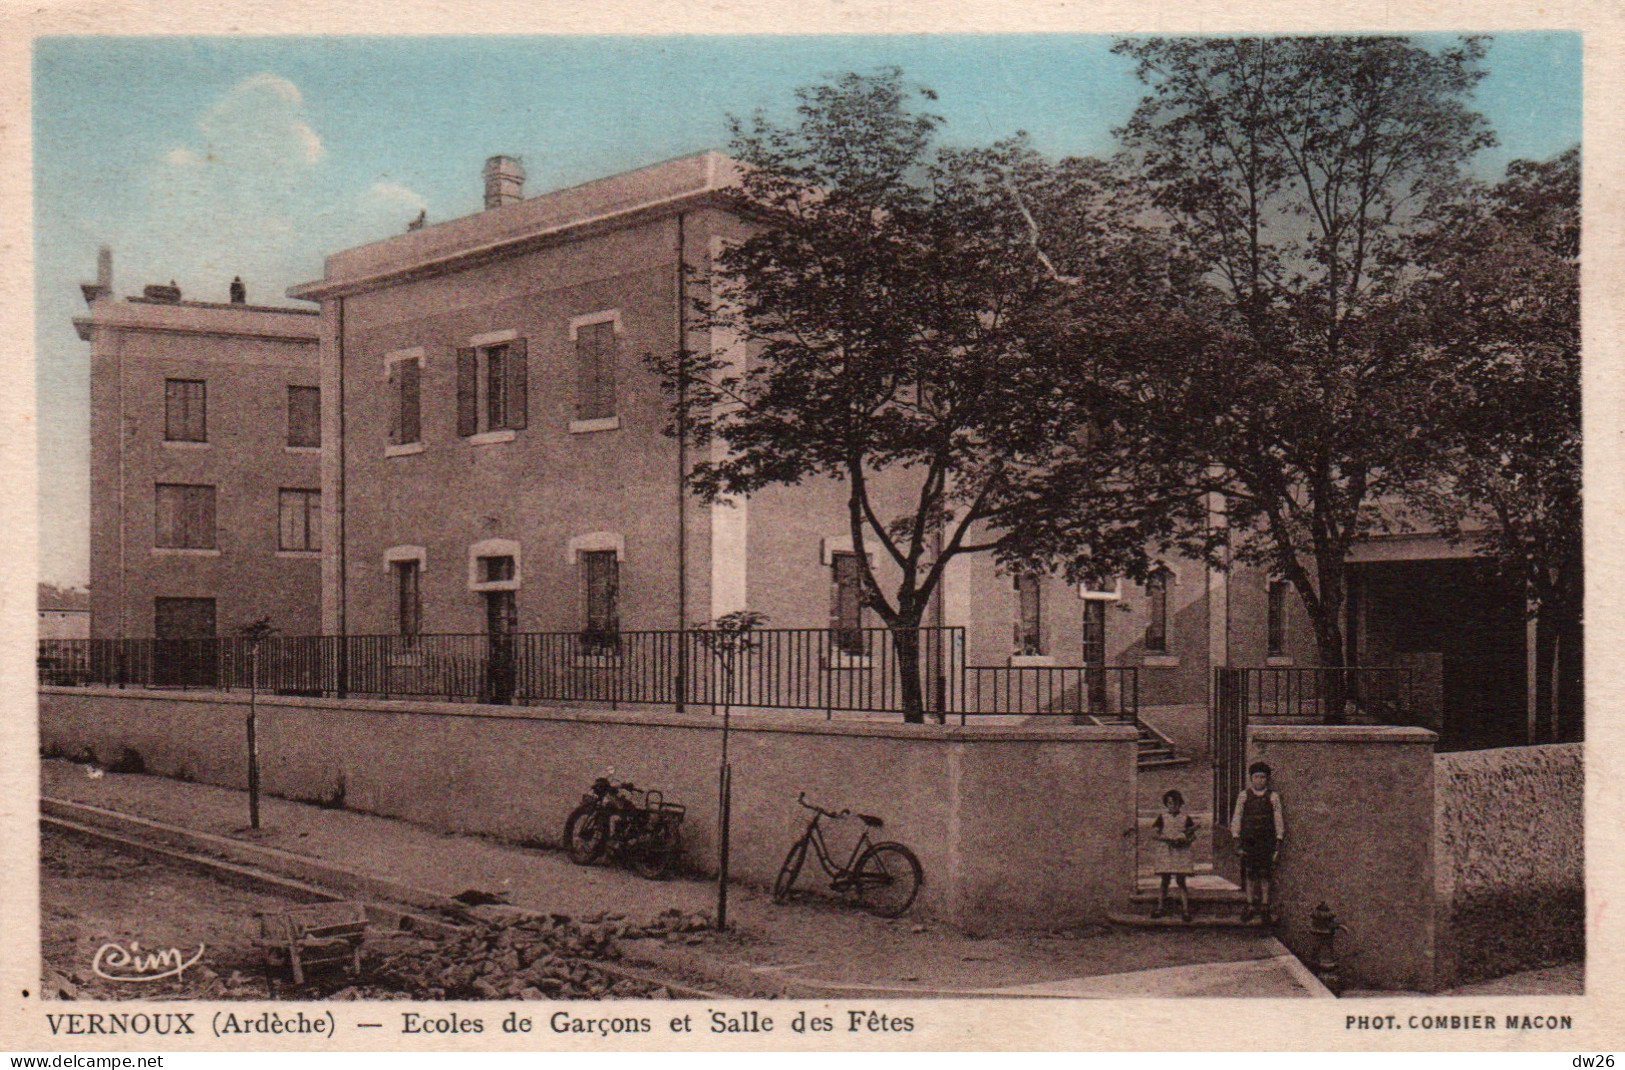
(1359, 811)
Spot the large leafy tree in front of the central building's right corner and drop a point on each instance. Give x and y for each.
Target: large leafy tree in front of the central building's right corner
(882, 298)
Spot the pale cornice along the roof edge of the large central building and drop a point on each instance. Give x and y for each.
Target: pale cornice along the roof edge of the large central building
(560, 215)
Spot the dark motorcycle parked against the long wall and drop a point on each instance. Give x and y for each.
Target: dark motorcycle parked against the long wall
(630, 822)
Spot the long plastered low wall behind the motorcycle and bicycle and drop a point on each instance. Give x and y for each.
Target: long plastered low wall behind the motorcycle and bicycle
(1016, 827)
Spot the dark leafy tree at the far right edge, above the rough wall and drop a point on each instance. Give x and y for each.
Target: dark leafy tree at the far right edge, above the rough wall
(1501, 300)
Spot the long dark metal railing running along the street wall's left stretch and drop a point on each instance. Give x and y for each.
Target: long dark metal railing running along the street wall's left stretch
(792, 669)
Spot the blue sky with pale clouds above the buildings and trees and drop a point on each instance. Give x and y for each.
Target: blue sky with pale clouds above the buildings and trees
(206, 159)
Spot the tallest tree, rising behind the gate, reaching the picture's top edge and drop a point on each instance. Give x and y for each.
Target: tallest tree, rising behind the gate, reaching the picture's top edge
(1293, 172)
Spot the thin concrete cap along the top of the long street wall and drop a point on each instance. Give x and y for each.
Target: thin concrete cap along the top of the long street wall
(706, 721)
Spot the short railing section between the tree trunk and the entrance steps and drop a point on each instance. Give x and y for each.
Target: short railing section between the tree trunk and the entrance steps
(1106, 692)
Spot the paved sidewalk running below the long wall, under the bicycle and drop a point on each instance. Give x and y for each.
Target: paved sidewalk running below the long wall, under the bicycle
(805, 949)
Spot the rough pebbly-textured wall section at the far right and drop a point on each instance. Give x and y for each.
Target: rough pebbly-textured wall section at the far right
(1512, 864)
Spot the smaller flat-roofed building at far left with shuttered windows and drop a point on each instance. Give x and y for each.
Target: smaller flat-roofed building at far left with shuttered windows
(206, 455)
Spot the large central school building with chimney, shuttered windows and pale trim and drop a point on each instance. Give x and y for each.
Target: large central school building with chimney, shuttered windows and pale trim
(496, 456)
